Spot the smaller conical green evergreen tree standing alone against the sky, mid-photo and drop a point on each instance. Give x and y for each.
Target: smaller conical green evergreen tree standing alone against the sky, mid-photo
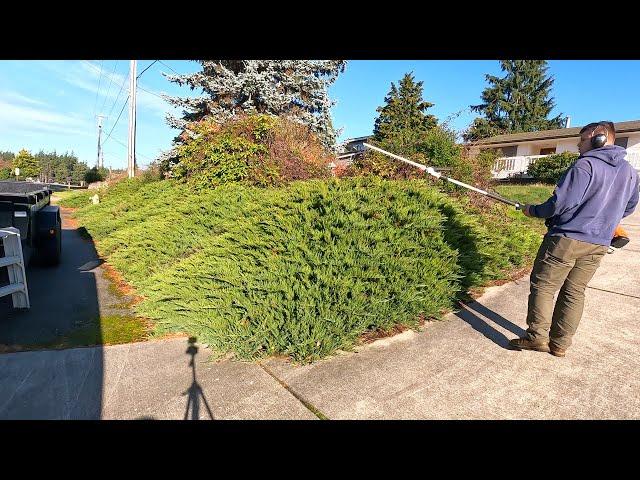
(403, 122)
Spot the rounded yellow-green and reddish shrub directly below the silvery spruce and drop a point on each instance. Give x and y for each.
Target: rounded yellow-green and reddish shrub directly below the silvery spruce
(257, 149)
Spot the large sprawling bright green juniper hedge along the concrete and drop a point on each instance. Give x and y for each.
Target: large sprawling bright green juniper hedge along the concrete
(301, 270)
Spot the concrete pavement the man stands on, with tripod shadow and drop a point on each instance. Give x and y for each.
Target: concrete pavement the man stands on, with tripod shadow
(459, 368)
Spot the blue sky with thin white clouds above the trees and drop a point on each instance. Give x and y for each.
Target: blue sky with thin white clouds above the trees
(52, 104)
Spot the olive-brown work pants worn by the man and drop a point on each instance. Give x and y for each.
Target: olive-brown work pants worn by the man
(566, 264)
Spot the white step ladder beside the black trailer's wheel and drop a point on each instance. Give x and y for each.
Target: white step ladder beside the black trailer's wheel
(14, 261)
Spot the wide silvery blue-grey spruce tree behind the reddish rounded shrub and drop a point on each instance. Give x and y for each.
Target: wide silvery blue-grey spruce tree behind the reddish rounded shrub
(296, 88)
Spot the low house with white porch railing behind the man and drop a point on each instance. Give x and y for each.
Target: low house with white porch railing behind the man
(519, 150)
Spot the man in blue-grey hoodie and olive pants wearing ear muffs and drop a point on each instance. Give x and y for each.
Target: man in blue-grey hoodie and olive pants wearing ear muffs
(589, 201)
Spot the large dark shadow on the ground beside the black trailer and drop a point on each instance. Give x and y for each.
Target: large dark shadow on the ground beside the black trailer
(47, 379)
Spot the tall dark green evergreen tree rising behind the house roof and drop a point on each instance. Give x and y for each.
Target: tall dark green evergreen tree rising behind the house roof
(518, 102)
